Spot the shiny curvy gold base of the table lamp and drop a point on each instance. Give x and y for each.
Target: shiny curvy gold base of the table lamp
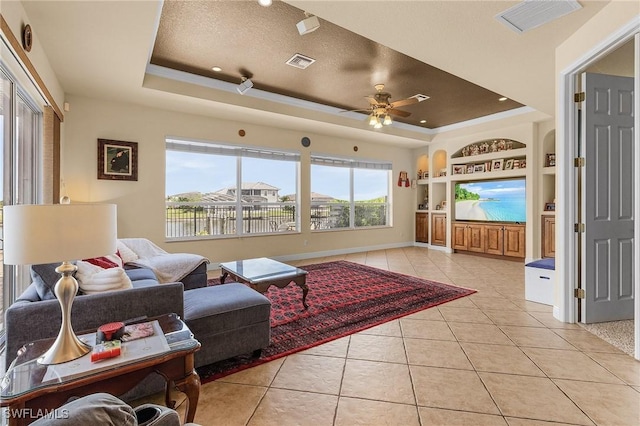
(67, 346)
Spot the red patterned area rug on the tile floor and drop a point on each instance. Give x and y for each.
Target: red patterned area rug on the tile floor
(344, 298)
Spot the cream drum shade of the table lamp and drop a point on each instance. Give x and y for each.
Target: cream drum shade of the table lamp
(35, 234)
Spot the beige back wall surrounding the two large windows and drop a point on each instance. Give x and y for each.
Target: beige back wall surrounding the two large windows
(141, 203)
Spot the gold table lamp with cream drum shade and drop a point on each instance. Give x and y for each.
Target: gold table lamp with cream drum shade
(36, 234)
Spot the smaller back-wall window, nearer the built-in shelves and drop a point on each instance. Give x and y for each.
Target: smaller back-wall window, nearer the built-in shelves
(349, 193)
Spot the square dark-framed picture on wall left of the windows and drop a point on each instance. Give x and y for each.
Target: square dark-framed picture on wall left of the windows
(117, 160)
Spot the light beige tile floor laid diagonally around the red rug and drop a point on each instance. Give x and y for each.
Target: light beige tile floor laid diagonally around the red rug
(492, 358)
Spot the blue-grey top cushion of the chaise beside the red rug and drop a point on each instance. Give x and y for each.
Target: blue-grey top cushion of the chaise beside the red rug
(235, 307)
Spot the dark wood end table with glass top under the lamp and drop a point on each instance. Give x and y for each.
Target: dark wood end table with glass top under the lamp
(28, 388)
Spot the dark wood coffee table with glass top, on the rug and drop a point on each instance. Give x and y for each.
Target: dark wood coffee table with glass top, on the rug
(262, 273)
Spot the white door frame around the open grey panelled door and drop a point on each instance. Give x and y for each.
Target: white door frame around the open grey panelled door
(566, 310)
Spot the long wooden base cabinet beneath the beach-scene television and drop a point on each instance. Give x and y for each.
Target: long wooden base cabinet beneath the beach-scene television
(496, 239)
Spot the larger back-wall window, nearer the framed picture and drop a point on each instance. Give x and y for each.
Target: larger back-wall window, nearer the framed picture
(202, 181)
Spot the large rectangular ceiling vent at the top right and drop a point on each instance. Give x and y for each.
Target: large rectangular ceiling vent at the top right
(531, 14)
